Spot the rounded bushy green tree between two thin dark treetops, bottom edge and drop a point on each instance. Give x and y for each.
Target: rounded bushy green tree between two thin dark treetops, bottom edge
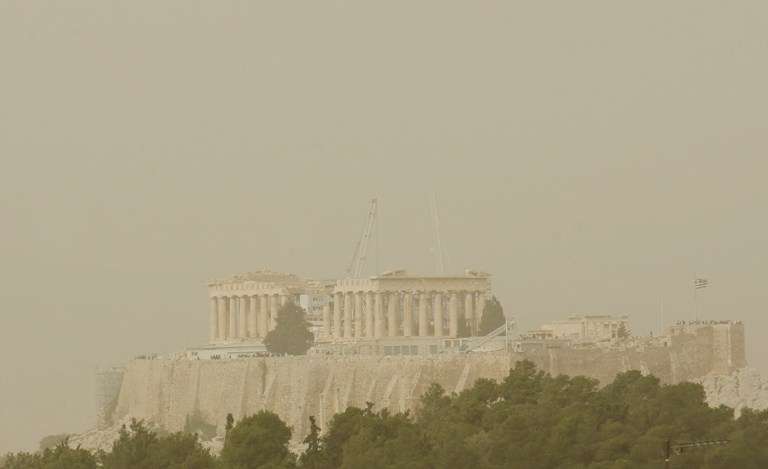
(258, 441)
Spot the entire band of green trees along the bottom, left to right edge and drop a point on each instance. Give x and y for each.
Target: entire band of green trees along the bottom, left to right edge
(528, 420)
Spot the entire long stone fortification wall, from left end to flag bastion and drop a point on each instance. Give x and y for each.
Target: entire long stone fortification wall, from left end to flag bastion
(167, 391)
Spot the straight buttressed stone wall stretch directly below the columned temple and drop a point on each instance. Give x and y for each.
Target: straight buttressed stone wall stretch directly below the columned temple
(167, 391)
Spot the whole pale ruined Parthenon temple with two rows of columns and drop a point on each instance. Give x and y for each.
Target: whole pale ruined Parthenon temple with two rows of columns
(393, 304)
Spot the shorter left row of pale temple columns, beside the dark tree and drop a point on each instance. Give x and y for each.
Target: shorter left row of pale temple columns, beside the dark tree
(235, 317)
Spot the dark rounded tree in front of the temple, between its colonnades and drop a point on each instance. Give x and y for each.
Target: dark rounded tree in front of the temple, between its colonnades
(291, 335)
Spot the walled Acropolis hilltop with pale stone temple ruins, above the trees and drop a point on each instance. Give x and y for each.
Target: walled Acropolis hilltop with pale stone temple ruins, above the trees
(385, 340)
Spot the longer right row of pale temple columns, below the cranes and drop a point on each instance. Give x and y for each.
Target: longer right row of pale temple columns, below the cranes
(378, 314)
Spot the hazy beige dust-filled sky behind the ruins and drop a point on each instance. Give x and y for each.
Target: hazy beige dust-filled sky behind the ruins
(592, 156)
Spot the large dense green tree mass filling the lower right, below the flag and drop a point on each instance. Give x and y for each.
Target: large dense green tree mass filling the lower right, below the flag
(534, 420)
